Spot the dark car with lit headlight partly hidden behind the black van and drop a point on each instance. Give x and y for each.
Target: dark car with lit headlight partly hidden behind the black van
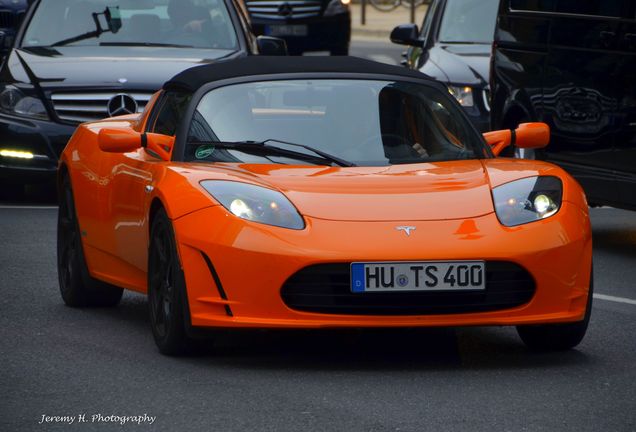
(454, 47)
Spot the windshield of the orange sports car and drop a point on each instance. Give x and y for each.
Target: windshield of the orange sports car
(362, 122)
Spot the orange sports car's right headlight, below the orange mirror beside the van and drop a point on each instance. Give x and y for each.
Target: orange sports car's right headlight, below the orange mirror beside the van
(527, 200)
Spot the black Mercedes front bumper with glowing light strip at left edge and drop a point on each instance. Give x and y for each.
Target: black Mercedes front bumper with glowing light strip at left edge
(44, 139)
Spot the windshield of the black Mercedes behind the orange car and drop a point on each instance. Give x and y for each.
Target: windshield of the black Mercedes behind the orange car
(189, 23)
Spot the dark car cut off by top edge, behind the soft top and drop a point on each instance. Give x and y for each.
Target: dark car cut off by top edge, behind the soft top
(306, 25)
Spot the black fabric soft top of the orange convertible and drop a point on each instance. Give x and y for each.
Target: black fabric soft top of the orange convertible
(192, 79)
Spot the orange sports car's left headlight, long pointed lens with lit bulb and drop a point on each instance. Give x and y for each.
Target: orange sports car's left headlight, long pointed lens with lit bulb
(255, 203)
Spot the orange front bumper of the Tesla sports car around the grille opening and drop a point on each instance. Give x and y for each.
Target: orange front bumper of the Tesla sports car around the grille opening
(252, 262)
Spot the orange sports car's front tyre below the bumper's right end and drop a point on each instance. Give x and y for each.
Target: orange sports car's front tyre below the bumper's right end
(556, 337)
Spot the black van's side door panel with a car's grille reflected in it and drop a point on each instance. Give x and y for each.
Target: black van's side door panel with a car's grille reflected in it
(579, 100)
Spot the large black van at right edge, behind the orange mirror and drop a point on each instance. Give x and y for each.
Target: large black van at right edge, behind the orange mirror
(572, 64)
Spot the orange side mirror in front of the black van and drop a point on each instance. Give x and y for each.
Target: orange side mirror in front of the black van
(527, 136)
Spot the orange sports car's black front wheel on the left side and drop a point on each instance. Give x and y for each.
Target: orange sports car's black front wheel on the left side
(166, 289)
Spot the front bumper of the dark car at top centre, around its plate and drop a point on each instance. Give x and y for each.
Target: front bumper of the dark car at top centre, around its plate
(323, 33)
